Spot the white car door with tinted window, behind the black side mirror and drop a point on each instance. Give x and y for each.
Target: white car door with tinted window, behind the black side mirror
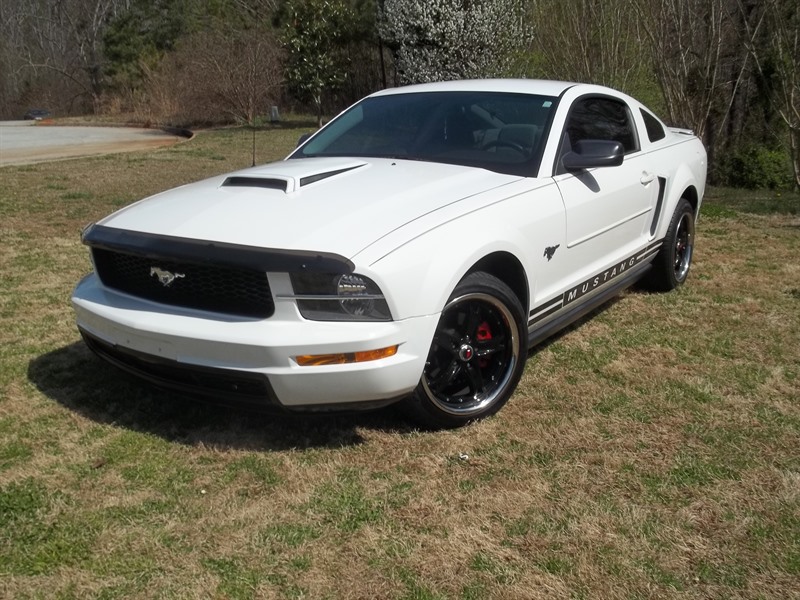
(607, 208)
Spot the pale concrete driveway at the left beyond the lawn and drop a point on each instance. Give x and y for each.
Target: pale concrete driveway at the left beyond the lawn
(25, 142)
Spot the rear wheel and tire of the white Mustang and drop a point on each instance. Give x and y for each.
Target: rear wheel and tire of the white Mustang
(671, 264)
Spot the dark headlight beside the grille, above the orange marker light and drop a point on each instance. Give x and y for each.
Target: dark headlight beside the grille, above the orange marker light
(337, 297)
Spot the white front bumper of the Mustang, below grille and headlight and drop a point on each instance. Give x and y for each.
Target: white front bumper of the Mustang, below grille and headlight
(229, 358)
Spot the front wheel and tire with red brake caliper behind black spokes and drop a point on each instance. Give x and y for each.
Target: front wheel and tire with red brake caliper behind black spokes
(476, 357)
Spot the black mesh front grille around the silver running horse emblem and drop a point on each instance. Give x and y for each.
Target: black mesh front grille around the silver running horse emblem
(224, 289)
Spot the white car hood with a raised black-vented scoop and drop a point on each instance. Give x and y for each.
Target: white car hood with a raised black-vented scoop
(338, 205)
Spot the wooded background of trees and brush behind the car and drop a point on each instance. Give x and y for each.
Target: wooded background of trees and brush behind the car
(729, 69)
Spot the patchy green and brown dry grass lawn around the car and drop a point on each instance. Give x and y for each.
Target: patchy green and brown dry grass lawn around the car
(652, 451)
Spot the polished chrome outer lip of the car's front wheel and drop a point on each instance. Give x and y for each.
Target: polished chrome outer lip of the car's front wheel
(482, 400)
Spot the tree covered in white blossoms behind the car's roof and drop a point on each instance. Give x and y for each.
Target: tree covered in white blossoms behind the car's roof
(436, 40)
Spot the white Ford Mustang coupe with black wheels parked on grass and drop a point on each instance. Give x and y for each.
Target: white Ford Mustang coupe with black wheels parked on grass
(414, 248)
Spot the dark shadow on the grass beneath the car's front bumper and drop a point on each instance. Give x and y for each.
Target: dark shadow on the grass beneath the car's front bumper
(75, 378)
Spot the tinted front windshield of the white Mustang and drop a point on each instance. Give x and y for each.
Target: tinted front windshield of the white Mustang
(496, 131)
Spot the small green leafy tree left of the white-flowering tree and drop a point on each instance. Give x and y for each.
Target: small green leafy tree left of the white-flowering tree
(313, 35)
